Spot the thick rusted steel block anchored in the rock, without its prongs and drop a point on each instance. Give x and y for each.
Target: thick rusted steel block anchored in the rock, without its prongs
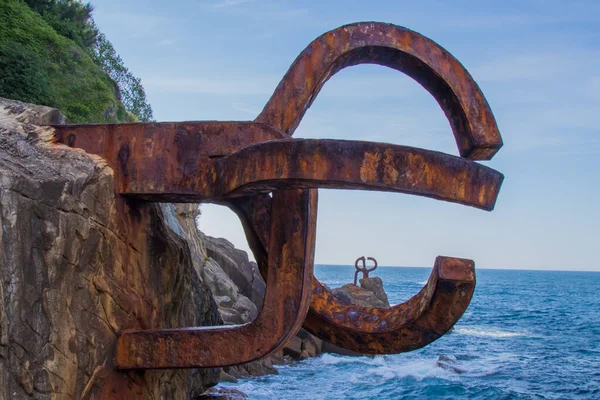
(167, 161)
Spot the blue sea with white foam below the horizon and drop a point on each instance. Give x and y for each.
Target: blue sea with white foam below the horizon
(526, 335)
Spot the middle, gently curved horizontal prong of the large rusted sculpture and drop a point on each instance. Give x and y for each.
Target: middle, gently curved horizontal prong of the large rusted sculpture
(344, 164)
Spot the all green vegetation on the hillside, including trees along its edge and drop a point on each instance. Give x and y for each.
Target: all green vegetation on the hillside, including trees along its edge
(51, 53)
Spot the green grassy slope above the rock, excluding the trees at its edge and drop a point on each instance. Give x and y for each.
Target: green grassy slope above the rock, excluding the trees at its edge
(37, 65)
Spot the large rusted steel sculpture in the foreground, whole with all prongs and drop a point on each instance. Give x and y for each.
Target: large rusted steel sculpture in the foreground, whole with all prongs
(239, 164)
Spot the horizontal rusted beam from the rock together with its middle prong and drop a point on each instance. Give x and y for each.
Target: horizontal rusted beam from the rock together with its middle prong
(158, 163)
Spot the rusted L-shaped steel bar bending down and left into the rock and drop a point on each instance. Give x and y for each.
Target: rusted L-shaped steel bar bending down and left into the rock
(289, 274)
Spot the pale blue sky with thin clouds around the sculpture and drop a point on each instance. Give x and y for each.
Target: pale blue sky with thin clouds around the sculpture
(537, 62)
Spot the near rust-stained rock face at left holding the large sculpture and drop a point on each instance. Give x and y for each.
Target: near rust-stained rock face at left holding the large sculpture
(77, 266)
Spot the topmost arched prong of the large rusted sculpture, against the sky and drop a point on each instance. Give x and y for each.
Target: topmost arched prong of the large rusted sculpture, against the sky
(393, 46)
